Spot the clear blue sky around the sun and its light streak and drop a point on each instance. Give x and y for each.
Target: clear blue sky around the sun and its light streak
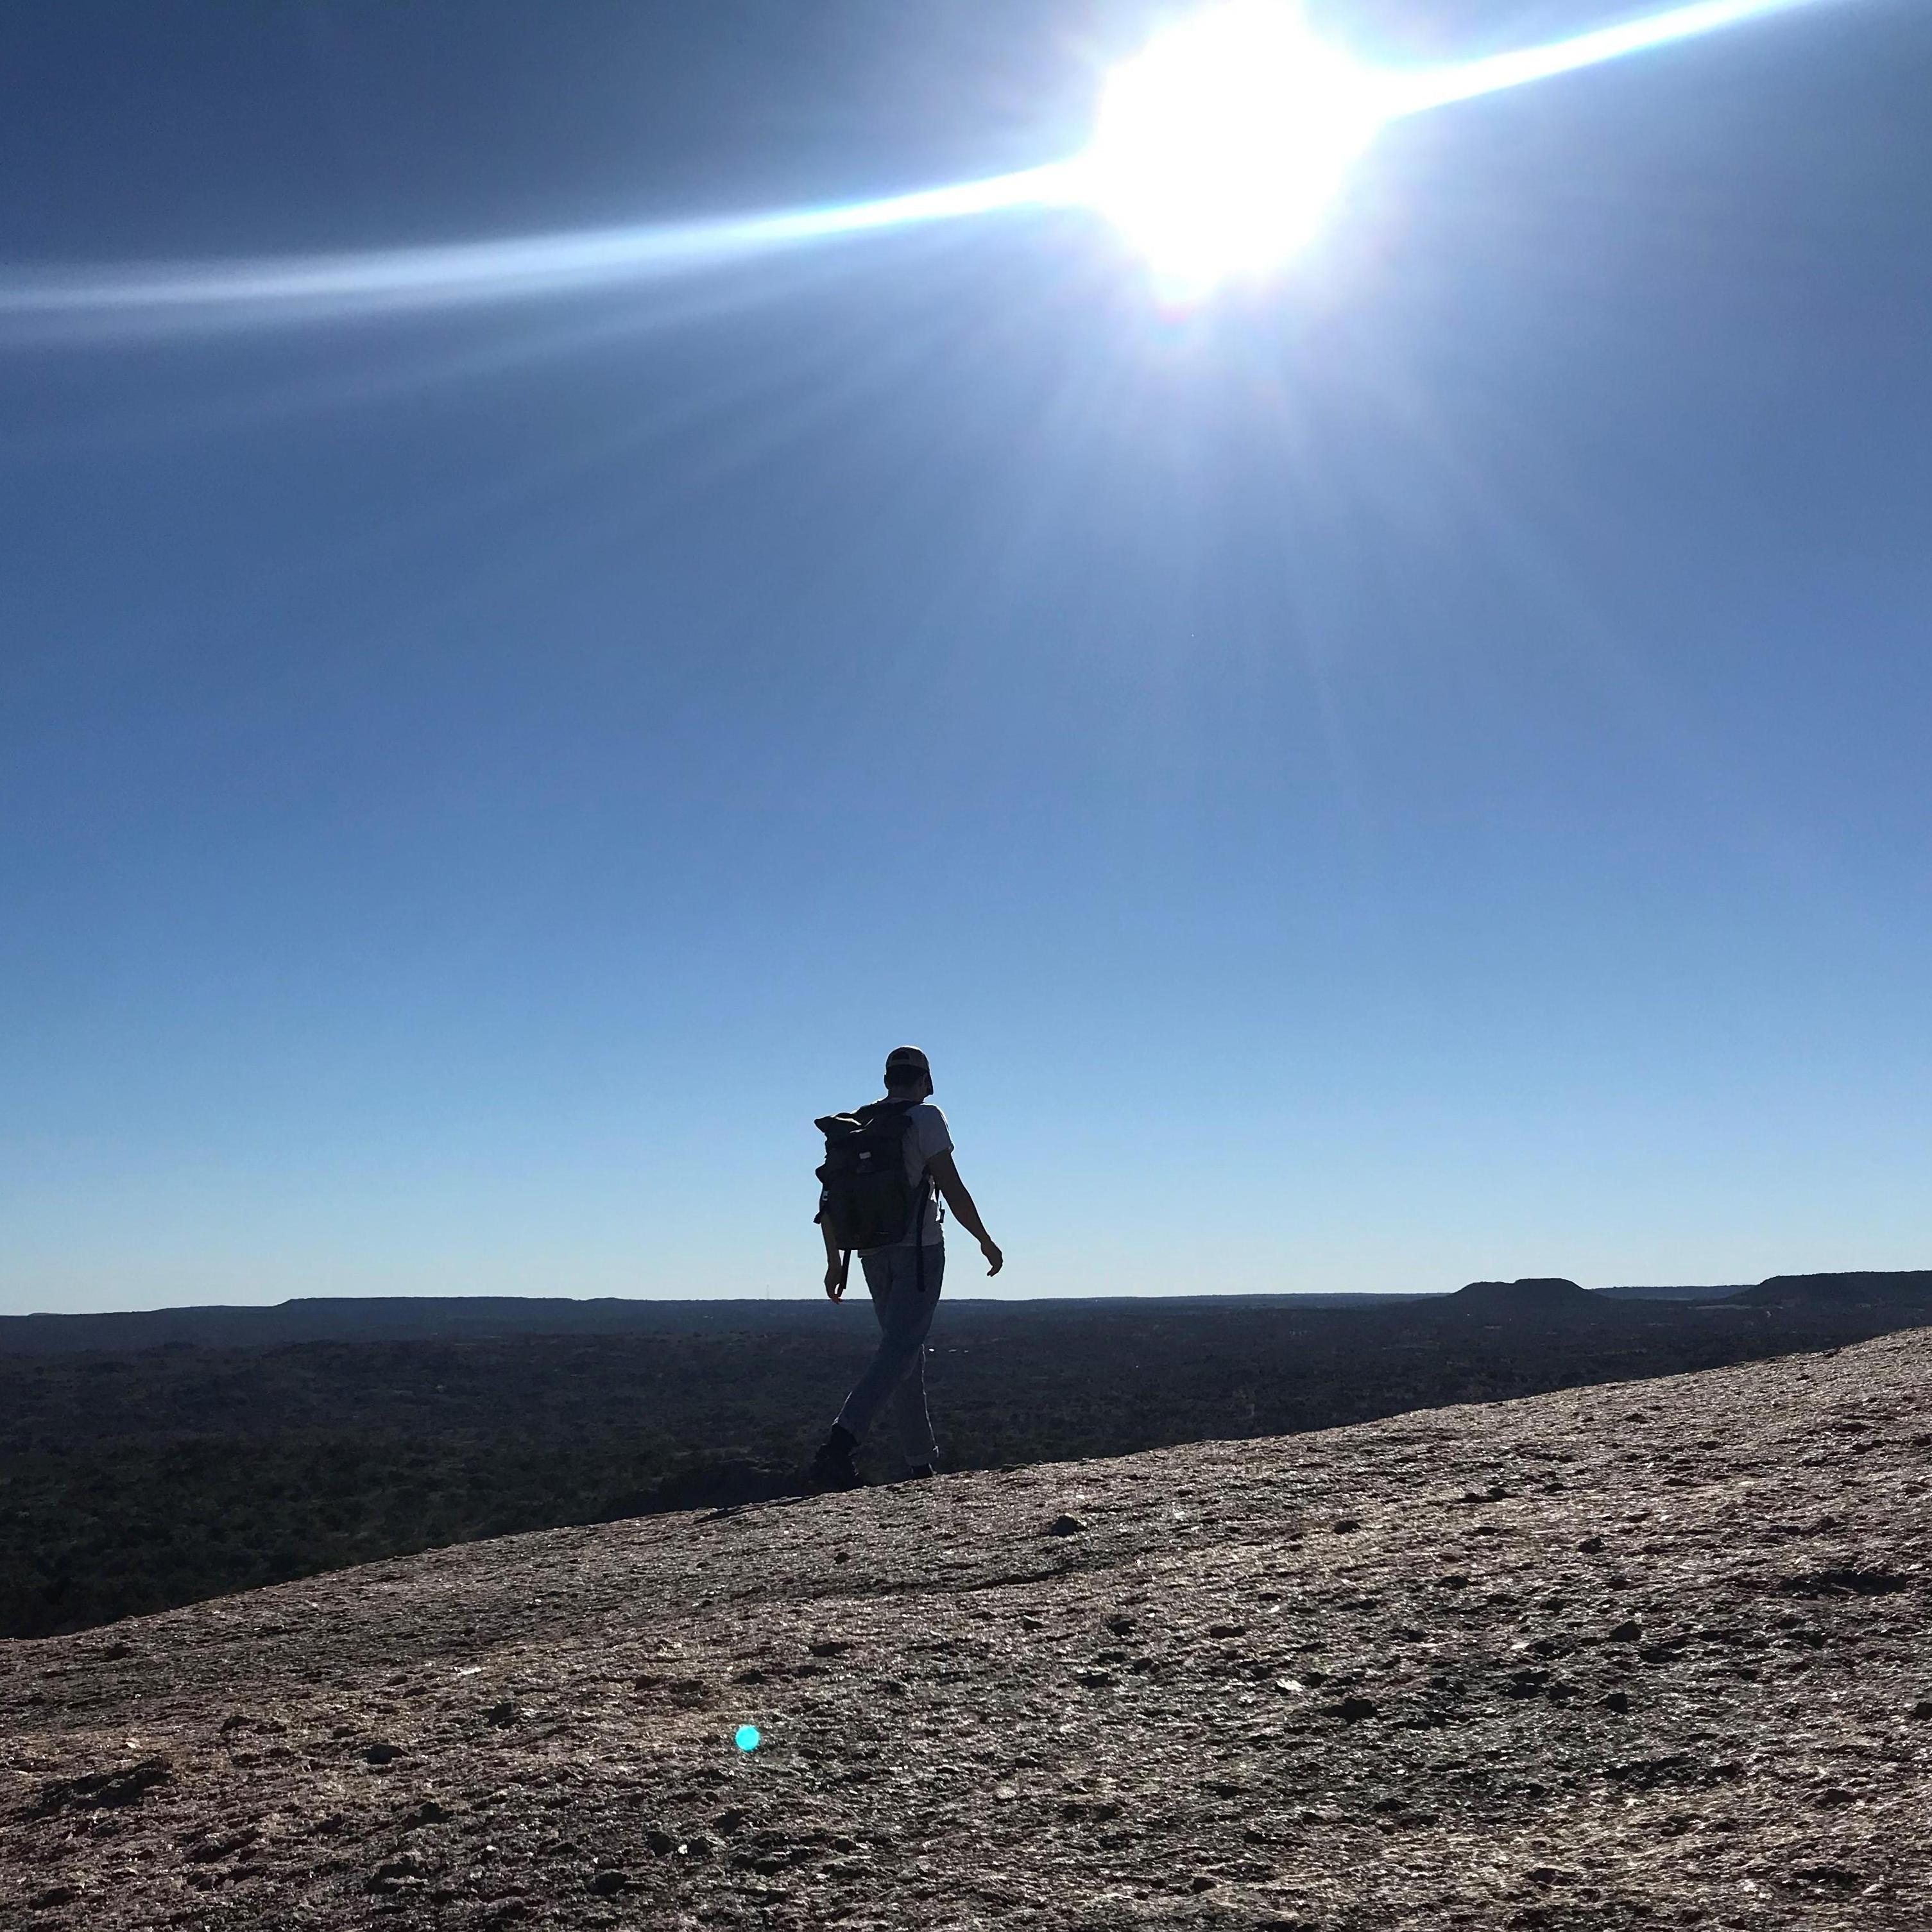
(1406, 776)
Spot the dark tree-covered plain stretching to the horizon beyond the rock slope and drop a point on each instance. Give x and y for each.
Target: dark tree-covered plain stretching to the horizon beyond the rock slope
(136, 1481)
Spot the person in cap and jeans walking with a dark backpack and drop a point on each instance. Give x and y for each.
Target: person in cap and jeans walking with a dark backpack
(903, 1274)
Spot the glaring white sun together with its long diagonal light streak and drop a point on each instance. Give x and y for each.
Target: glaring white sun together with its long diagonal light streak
(1216, 154)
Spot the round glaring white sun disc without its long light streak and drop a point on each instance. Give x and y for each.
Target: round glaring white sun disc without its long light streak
(1220, 146)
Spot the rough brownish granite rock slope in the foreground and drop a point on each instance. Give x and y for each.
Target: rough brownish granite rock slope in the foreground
(1603, 1659)
